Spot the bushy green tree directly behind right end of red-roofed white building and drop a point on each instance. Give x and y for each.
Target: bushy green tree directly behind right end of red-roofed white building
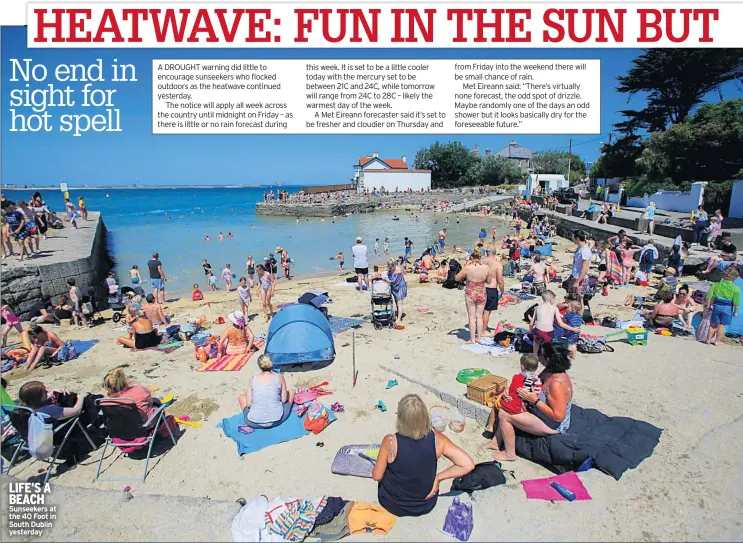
(448, 162)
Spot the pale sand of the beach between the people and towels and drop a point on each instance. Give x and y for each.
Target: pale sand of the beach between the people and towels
(690, 489)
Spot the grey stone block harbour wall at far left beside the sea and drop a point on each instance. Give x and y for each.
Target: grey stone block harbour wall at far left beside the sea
(24, 286)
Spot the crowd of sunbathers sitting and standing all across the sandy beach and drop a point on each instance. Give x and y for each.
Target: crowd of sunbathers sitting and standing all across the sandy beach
(406, 466)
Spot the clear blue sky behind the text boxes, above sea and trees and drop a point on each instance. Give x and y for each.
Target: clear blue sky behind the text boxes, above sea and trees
(136, 155)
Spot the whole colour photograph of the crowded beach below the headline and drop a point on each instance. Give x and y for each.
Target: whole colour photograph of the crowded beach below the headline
(398, 337)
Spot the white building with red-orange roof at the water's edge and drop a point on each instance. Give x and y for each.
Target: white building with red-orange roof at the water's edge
(392, 174)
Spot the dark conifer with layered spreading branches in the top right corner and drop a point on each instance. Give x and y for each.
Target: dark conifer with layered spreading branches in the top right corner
(675, 81)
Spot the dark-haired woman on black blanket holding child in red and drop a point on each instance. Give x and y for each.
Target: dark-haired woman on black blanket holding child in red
(548, 412)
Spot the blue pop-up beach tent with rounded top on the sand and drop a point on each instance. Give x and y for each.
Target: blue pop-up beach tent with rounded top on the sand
(300, 334)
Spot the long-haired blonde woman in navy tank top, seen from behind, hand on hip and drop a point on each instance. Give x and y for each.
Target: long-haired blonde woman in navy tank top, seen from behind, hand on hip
(407, 462)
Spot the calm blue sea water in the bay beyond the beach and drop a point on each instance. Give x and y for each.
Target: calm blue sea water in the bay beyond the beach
(138, 224)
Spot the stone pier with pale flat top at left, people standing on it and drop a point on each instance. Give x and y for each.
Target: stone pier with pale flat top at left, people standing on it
(81, 254)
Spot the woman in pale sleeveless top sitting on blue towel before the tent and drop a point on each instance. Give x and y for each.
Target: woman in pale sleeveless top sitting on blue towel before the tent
(267, 402)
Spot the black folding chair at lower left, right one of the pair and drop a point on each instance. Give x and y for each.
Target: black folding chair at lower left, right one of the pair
(124, 423)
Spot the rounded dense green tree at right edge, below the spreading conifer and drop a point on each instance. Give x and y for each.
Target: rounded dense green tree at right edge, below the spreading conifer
(707, 146)
